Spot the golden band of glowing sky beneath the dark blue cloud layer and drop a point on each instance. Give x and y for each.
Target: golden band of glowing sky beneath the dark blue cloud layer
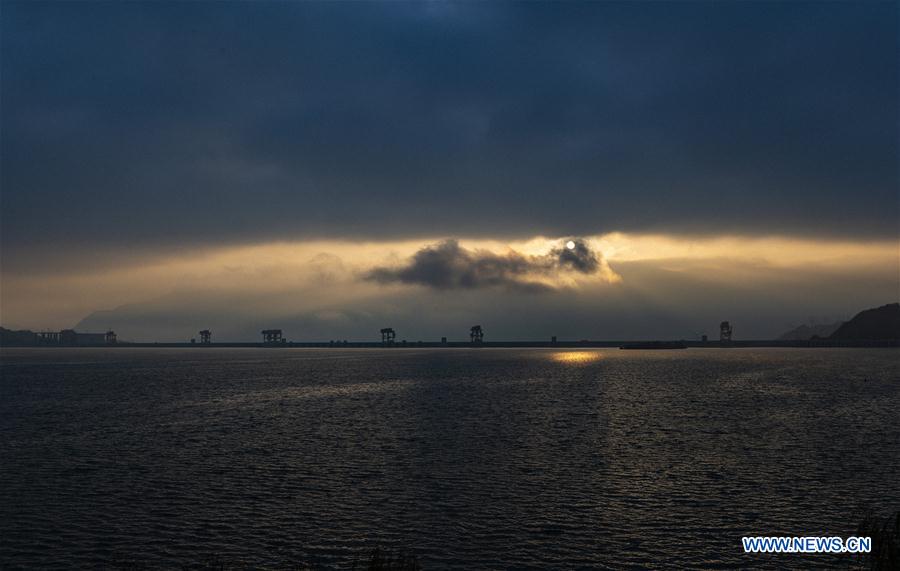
(323, 275)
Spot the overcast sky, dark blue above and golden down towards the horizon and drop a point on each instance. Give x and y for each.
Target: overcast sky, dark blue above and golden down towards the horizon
(135, 132)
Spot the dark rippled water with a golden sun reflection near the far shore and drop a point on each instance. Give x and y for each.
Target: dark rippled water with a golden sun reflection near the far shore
(471, 459)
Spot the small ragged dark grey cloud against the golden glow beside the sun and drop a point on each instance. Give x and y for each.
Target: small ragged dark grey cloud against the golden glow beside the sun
(450, 266)
